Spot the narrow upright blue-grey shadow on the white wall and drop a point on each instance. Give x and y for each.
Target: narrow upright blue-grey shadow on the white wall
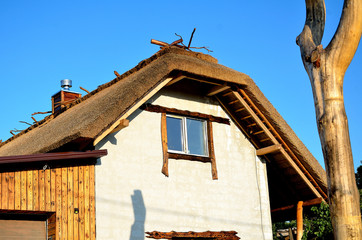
(139, 211)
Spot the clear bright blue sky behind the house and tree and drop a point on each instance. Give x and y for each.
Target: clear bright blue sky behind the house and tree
(43, 42)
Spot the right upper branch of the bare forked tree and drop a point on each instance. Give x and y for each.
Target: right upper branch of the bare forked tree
(341, 49)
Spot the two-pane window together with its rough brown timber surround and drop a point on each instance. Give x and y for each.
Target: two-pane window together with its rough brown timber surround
(186, 136)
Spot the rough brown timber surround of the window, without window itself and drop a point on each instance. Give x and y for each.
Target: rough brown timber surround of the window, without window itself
(177, 156)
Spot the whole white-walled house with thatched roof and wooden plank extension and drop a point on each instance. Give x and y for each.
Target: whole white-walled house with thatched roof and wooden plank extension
(178, 147)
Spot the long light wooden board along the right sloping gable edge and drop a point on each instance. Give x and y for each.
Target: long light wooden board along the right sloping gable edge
(276, 142)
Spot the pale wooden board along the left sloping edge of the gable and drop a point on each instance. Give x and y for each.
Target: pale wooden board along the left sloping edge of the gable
(133, 108)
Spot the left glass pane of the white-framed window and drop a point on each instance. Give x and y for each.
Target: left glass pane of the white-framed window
(174, 133)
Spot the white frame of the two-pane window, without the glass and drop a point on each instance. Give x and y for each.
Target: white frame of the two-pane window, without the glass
(184, 135)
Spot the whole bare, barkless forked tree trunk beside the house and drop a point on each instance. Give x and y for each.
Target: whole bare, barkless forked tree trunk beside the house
(326, 69)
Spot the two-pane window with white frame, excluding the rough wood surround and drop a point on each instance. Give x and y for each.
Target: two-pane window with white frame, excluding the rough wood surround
(187, 135)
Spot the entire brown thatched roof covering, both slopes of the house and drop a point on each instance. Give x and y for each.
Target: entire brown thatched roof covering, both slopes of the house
(90, 116)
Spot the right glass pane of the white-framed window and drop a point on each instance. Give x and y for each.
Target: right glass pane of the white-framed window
(196, 136)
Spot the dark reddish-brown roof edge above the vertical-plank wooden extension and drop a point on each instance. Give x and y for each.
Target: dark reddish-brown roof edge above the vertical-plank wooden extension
(52, 156)
